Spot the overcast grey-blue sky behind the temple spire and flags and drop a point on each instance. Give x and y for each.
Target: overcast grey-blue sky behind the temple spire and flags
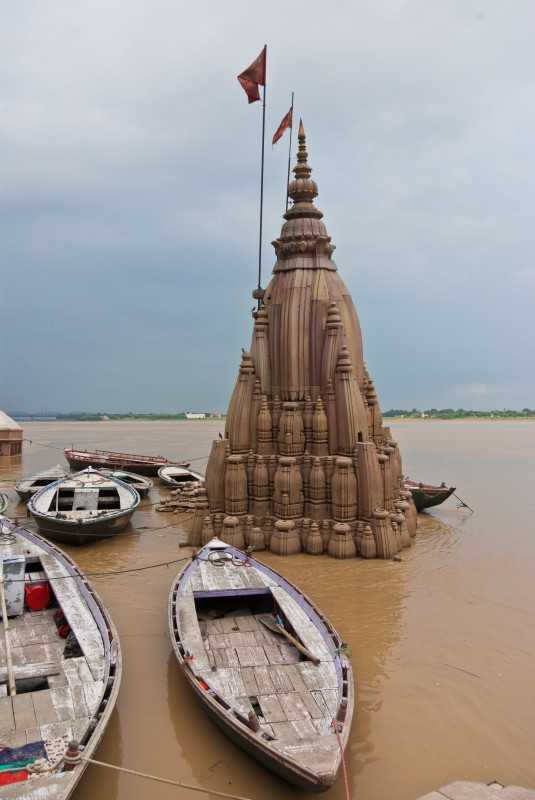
(129, 164)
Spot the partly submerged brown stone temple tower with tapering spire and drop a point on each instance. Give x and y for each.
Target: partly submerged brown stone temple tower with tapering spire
(306, 463)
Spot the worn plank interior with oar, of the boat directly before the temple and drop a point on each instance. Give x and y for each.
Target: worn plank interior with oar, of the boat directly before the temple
(229, 639)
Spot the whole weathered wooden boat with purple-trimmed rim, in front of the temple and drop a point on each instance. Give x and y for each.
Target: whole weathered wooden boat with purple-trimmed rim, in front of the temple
(266, 664)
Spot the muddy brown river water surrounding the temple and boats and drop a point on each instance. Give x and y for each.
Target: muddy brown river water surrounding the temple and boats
(443, 643)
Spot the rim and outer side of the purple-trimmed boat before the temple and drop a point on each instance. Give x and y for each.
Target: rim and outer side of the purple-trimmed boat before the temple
(305, 778)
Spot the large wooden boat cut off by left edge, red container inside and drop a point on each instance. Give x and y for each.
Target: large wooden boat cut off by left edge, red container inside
(52, 689)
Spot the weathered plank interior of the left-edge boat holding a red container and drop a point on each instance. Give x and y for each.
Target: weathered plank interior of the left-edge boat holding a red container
(53, 661)
